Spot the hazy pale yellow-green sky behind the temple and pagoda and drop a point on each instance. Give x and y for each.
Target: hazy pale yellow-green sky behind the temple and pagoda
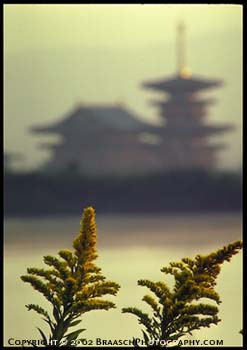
(59, 55)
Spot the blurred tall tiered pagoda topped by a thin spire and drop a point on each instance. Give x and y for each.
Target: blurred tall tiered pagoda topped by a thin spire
(186, 134)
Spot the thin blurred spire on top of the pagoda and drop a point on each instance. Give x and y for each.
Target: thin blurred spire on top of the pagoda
(181, 51)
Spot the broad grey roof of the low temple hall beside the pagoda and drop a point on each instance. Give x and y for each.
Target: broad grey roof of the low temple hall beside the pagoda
(96, 118)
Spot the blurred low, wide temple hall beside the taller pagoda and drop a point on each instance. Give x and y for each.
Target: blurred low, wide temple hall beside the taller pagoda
(102, 140)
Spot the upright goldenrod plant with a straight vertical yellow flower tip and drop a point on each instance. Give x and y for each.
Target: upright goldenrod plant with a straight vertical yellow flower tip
(73, 285)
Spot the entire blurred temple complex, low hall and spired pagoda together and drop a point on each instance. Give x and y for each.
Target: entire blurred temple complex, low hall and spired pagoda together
(101, 140)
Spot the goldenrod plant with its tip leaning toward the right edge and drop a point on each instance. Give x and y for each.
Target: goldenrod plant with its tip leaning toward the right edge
(182, 309)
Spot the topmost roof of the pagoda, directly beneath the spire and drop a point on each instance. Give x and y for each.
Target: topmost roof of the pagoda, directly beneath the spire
(179, 84)
